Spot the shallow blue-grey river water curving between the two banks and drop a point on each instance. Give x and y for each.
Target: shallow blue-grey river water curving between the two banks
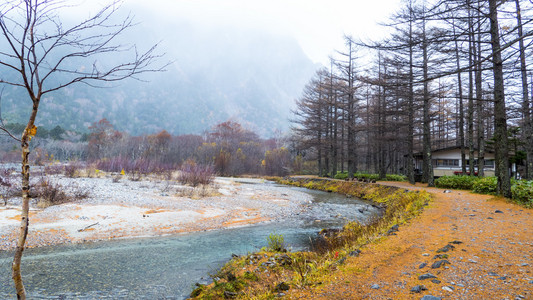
(165, 267)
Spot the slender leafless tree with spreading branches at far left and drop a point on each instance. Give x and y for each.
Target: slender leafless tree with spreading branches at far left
(41, 54)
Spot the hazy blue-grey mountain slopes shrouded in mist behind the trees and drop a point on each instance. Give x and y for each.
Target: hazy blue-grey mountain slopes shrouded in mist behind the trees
(217, 73)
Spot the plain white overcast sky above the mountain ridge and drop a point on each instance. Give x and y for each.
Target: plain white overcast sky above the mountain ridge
(318, 25)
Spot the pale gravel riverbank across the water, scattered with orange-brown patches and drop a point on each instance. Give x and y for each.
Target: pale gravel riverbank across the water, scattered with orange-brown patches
(150, 207)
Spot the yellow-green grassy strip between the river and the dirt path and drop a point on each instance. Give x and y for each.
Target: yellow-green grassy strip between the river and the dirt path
(273, 271)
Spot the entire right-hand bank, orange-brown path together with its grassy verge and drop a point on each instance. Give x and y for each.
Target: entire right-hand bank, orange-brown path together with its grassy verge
(462, 246)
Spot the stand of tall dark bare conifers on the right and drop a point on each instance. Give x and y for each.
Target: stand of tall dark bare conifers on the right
(451, 73)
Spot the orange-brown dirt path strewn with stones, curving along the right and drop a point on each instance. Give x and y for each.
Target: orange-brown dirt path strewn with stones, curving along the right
(490, 254)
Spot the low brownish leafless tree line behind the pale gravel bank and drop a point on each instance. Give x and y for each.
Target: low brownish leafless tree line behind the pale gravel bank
(228, 147)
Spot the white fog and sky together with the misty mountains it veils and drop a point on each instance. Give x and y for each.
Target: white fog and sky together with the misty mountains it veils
(245, 61)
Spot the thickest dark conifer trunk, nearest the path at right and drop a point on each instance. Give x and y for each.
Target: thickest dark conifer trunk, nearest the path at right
(500, 115)
